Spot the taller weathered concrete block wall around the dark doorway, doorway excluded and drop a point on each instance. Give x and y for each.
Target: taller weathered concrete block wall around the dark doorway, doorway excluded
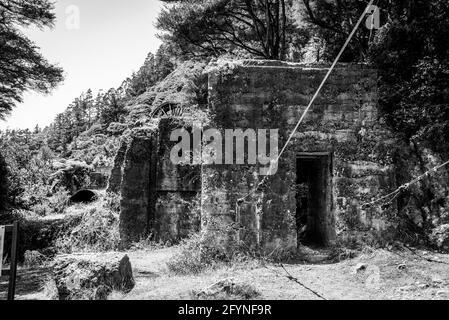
(344, 123)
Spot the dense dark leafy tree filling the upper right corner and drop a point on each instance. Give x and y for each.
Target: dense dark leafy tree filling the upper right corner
(412, 55)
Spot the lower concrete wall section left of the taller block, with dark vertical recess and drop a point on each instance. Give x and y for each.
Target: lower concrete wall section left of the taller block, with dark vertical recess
(156, 196)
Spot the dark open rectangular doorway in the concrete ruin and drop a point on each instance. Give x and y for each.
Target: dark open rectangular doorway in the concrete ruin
(314, 199)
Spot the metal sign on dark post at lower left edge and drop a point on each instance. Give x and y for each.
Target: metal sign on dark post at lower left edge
(12, 271)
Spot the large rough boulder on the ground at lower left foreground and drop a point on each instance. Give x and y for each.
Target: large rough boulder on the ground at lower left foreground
(87, 279)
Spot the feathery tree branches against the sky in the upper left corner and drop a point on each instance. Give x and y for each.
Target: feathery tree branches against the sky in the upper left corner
(22, 67)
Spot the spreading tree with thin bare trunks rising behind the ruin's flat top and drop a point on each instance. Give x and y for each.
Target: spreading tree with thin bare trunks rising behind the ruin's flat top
(261, 28)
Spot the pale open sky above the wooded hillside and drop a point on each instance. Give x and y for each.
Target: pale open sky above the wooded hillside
(112, 41)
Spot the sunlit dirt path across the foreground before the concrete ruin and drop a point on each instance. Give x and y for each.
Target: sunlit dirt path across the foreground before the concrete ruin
(381, 275)
